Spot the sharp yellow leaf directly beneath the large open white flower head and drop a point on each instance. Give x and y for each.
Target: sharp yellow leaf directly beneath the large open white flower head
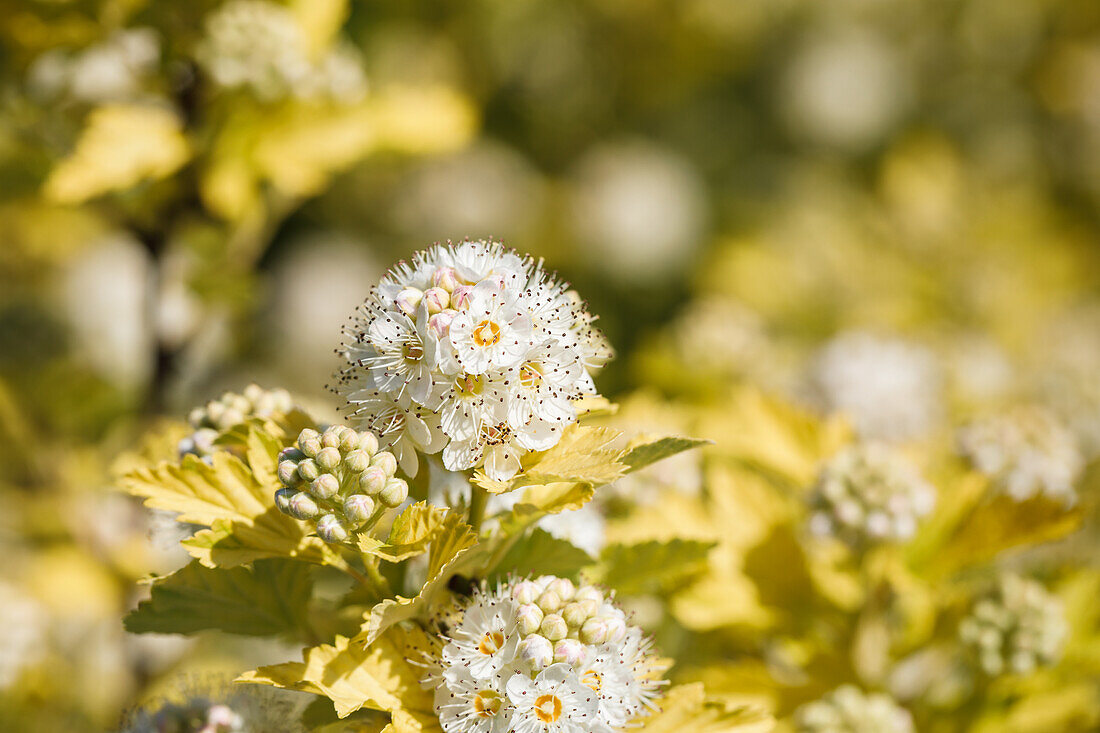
(582, 456)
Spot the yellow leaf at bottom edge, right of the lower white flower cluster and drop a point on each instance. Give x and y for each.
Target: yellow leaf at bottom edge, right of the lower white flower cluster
(686, 708)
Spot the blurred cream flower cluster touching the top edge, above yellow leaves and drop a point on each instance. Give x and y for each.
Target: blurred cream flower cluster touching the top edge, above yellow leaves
(260, 46)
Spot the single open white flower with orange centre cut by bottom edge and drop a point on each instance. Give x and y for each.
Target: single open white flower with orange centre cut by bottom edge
(555, 702)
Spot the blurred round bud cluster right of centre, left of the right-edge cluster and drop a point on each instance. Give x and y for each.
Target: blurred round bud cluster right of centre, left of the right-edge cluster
(868, 495)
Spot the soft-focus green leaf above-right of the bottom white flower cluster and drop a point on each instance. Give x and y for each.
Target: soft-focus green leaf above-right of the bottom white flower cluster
(653, 566)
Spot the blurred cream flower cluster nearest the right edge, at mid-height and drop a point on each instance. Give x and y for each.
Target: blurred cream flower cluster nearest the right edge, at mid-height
(1027, 453)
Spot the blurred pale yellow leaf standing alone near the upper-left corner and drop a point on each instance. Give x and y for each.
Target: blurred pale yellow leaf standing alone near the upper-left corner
(120, 147)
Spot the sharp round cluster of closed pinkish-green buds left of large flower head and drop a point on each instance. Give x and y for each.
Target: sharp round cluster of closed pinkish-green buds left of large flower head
(339, 480)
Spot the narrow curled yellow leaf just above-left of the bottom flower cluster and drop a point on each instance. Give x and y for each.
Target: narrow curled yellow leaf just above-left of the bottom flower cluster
(455, 540)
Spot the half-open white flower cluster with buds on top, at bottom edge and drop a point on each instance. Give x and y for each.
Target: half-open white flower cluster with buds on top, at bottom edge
(541, 657)
